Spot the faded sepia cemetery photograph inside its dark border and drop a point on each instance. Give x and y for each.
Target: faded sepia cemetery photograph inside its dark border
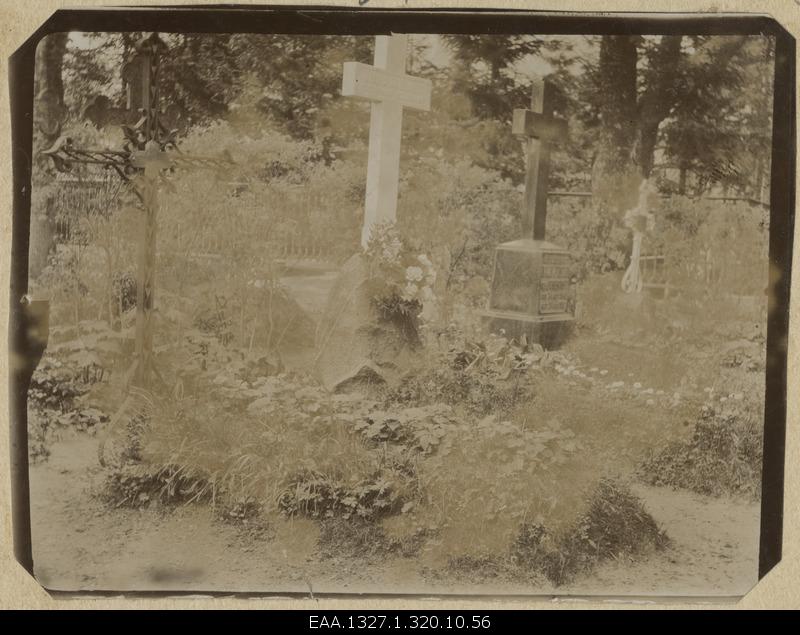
(399, 312)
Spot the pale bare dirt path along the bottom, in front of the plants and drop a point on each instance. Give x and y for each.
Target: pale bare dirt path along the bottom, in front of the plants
(79, 544)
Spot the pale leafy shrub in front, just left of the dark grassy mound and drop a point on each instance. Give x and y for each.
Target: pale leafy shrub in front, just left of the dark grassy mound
(489, 477)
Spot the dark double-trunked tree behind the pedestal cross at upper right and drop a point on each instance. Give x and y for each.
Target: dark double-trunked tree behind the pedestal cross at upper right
(689, 97)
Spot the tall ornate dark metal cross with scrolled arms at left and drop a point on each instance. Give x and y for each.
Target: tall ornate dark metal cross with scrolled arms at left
(149, 149)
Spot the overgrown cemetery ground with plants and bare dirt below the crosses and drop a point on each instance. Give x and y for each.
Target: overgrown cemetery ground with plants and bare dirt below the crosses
(272, 483)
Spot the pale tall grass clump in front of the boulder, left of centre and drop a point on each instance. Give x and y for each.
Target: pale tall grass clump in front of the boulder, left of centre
(244, 455)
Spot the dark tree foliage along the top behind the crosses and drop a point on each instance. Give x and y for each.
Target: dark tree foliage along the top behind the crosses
(635, 103)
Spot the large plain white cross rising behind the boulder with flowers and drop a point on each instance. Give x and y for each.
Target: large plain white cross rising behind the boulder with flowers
(389, 89)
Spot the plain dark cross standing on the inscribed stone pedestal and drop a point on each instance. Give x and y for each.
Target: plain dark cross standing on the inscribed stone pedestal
(542, 130)
